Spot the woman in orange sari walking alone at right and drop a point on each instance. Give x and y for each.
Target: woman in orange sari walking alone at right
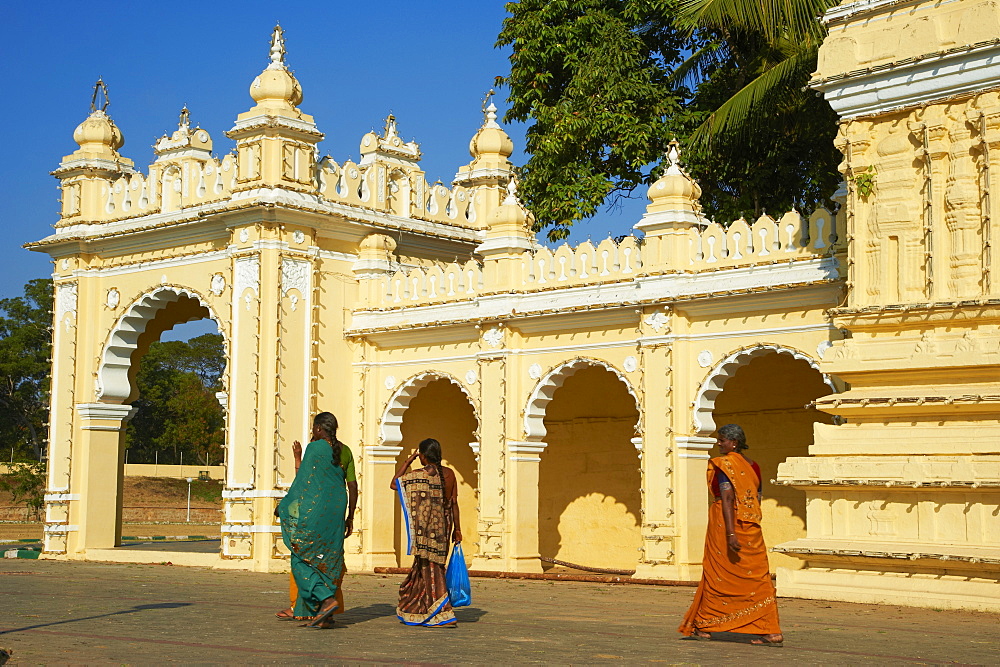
(736, 593)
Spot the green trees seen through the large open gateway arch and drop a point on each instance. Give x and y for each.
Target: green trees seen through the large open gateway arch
(177, 409)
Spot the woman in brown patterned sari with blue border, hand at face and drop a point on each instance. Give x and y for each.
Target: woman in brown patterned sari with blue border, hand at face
(429, 496)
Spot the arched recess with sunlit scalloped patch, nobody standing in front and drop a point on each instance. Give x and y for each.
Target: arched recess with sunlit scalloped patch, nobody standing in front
(589, 478)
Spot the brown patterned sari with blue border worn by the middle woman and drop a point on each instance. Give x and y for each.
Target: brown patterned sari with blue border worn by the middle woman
(423, 595)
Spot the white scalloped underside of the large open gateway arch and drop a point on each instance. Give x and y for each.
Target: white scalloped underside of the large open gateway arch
(113, 384)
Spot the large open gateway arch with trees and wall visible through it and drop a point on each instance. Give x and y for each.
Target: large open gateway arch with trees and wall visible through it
(167, 359)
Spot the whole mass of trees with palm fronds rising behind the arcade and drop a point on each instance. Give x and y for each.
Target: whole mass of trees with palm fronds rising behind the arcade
(606, 84)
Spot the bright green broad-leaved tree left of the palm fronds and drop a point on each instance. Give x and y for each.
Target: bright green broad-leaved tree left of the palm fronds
(593, 76)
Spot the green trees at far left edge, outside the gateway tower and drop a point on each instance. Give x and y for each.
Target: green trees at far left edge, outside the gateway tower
(25, 347)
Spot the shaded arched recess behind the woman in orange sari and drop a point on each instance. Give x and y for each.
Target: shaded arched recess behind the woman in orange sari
(767, 395)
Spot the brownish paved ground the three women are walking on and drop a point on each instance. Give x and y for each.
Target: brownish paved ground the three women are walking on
(61, 612)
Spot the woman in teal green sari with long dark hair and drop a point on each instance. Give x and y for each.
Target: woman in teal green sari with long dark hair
(313, 523)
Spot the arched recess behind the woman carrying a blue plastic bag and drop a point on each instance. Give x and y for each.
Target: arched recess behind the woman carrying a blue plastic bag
(440, 409)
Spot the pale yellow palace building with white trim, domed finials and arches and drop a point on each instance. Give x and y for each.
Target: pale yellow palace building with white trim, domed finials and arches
(575, 391)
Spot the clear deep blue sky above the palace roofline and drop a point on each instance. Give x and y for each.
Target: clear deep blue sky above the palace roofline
(428, 63)
